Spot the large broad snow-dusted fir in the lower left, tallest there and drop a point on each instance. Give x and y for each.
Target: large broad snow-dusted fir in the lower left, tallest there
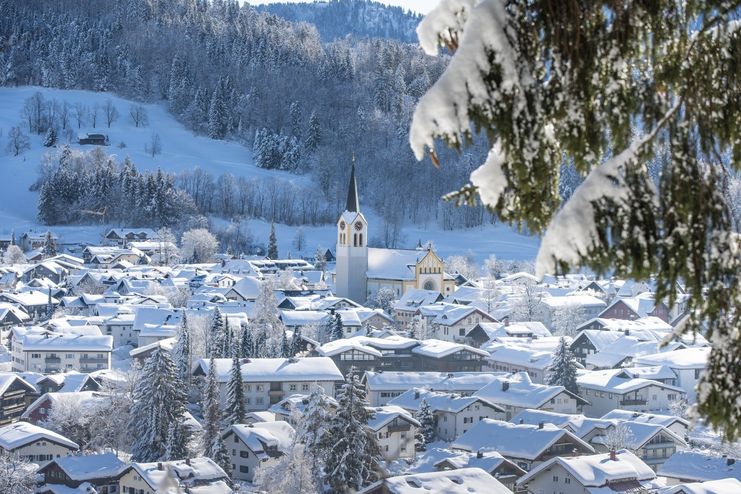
(159, 401)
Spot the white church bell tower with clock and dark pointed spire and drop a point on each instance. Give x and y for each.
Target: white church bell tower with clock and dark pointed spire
(352, 248)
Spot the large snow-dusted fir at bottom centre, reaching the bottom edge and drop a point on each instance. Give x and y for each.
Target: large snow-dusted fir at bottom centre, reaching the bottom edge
(353, 452)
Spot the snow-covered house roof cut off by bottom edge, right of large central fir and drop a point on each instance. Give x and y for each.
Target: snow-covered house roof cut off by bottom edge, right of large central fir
(462, 481)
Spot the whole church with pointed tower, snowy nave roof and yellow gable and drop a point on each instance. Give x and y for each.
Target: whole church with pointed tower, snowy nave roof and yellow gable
(361, 271)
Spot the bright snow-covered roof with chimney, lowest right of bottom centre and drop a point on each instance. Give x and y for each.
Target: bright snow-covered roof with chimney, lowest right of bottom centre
(597, 470)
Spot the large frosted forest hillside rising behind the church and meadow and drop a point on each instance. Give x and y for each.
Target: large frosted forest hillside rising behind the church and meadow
(231, 72)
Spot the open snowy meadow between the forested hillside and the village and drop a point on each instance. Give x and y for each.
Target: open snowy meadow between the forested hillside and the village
(182, 150)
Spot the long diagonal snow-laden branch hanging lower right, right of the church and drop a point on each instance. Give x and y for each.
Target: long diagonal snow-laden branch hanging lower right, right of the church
(573, 231)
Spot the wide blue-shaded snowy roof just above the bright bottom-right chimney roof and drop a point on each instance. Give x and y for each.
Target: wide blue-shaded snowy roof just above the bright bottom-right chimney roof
(515, 440)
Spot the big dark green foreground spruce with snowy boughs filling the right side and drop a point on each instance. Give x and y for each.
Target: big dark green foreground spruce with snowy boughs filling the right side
(607, 87)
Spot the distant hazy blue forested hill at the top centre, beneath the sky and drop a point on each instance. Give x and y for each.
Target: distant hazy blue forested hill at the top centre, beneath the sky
(361, 18)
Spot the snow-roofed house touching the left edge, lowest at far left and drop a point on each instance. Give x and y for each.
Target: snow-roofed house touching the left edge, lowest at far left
(35, 444)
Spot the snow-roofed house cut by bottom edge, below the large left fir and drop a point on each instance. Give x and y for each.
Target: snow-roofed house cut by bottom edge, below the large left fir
(189, 474)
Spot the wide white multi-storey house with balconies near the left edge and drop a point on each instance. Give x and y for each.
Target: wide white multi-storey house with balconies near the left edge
(53, 352)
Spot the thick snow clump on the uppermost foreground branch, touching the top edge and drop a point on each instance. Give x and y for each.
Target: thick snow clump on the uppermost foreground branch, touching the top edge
(444, 110)
